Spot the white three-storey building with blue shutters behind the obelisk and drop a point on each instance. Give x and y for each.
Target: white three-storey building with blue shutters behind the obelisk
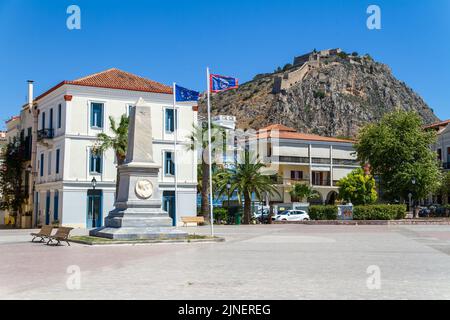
(72, 114)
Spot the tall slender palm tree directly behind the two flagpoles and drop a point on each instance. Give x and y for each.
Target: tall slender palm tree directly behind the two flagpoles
(199, 138)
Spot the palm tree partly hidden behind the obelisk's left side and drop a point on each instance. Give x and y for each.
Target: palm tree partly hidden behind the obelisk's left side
(118, 142)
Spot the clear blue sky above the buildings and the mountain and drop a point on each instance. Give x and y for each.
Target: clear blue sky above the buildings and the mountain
(175, 40)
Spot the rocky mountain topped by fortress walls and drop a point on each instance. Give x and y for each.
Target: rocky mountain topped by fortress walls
(328, 92)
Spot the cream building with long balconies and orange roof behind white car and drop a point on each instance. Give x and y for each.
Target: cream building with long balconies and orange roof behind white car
(305, 158)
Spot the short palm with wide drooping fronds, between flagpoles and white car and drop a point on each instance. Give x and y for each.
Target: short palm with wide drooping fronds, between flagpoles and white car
(247, 179)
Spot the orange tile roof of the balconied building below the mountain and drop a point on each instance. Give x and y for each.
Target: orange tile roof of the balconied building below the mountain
(290, 133)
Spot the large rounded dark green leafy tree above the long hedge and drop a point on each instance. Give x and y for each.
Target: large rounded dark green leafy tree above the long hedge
(399, 153)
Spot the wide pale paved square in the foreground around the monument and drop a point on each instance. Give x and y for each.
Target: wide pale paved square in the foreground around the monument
(256, 262)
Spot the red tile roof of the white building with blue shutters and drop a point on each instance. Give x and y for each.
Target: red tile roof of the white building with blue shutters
(115, 79)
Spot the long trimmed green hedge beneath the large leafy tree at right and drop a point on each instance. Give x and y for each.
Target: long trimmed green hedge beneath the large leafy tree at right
(379, 212)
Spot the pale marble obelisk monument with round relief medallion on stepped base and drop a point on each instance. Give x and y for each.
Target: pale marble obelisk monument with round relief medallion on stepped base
(138, 213)
